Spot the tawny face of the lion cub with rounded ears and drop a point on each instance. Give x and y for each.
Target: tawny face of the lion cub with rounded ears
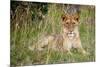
(70, 24)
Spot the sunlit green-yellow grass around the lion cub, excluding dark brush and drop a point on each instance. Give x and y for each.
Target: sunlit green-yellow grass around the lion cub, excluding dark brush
(28, 35)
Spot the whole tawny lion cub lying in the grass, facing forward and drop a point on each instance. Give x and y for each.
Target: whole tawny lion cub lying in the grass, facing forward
(69, 38)
